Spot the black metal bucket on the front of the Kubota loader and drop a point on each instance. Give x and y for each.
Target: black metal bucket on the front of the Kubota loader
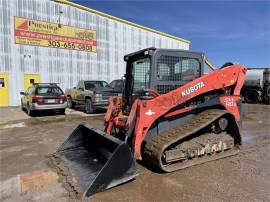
(95, 160)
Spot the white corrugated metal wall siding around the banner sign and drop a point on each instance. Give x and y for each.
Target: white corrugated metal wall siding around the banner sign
(114, 40)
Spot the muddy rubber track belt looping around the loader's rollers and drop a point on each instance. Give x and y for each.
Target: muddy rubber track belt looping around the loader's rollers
(155, 148)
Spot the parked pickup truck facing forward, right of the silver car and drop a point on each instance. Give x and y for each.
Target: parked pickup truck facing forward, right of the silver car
(91, 94)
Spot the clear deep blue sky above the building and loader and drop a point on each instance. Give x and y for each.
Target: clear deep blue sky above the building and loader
(237, 31)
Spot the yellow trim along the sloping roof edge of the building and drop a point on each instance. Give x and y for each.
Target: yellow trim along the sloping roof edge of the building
(121, 20)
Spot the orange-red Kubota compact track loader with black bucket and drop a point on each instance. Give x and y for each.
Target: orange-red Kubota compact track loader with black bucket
(171, 116)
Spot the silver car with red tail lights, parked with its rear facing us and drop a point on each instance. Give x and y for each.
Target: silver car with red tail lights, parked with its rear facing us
(43, 96)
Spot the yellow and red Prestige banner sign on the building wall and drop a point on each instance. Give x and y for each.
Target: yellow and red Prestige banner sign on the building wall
(53, 35)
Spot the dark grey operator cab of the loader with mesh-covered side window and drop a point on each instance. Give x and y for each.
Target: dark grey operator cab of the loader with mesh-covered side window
(161, 70)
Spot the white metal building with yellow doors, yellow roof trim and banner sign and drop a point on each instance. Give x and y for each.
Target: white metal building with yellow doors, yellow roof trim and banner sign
(63, 42)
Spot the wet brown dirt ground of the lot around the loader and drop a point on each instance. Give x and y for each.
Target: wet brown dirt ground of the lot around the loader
(26, 176)
